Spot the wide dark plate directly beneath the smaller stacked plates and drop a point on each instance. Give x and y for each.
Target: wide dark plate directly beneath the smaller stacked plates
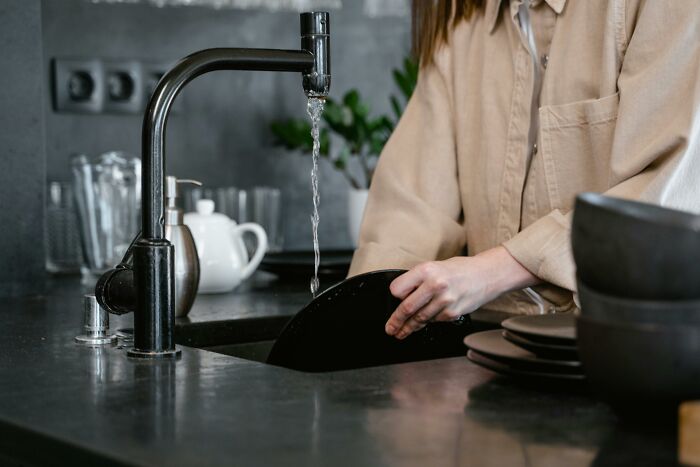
(491, 344)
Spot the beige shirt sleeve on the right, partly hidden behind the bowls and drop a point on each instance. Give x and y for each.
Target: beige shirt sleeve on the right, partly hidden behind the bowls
(656, 146)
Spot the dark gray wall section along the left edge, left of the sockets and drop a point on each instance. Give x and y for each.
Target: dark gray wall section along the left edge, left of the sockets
(23, 175)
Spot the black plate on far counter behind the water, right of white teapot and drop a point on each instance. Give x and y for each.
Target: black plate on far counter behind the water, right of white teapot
(334, 263)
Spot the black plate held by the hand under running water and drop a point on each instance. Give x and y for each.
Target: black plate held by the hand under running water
(343, 328)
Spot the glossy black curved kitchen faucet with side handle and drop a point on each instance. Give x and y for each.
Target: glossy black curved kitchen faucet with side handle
(144, 281)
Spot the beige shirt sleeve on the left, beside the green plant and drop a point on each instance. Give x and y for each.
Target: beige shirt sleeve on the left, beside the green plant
(413, 212)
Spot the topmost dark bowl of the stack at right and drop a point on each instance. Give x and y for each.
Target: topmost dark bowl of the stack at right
(636, 250)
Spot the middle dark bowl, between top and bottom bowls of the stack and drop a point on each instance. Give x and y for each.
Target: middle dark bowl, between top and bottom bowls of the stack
(603, 307)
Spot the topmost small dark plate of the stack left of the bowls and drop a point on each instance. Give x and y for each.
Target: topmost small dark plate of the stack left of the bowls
(556, 329)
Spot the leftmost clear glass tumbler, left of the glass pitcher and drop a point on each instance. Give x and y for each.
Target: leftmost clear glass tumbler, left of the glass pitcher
(62, 239)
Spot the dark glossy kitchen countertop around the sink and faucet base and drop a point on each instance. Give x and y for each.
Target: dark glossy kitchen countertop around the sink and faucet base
(61, 403)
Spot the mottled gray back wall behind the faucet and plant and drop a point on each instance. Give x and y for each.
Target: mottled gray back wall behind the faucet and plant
(221, 136)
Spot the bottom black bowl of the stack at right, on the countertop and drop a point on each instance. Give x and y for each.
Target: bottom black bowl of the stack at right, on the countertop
(640, 368)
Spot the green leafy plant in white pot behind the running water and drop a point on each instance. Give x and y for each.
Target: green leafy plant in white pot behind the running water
(362, 135)
